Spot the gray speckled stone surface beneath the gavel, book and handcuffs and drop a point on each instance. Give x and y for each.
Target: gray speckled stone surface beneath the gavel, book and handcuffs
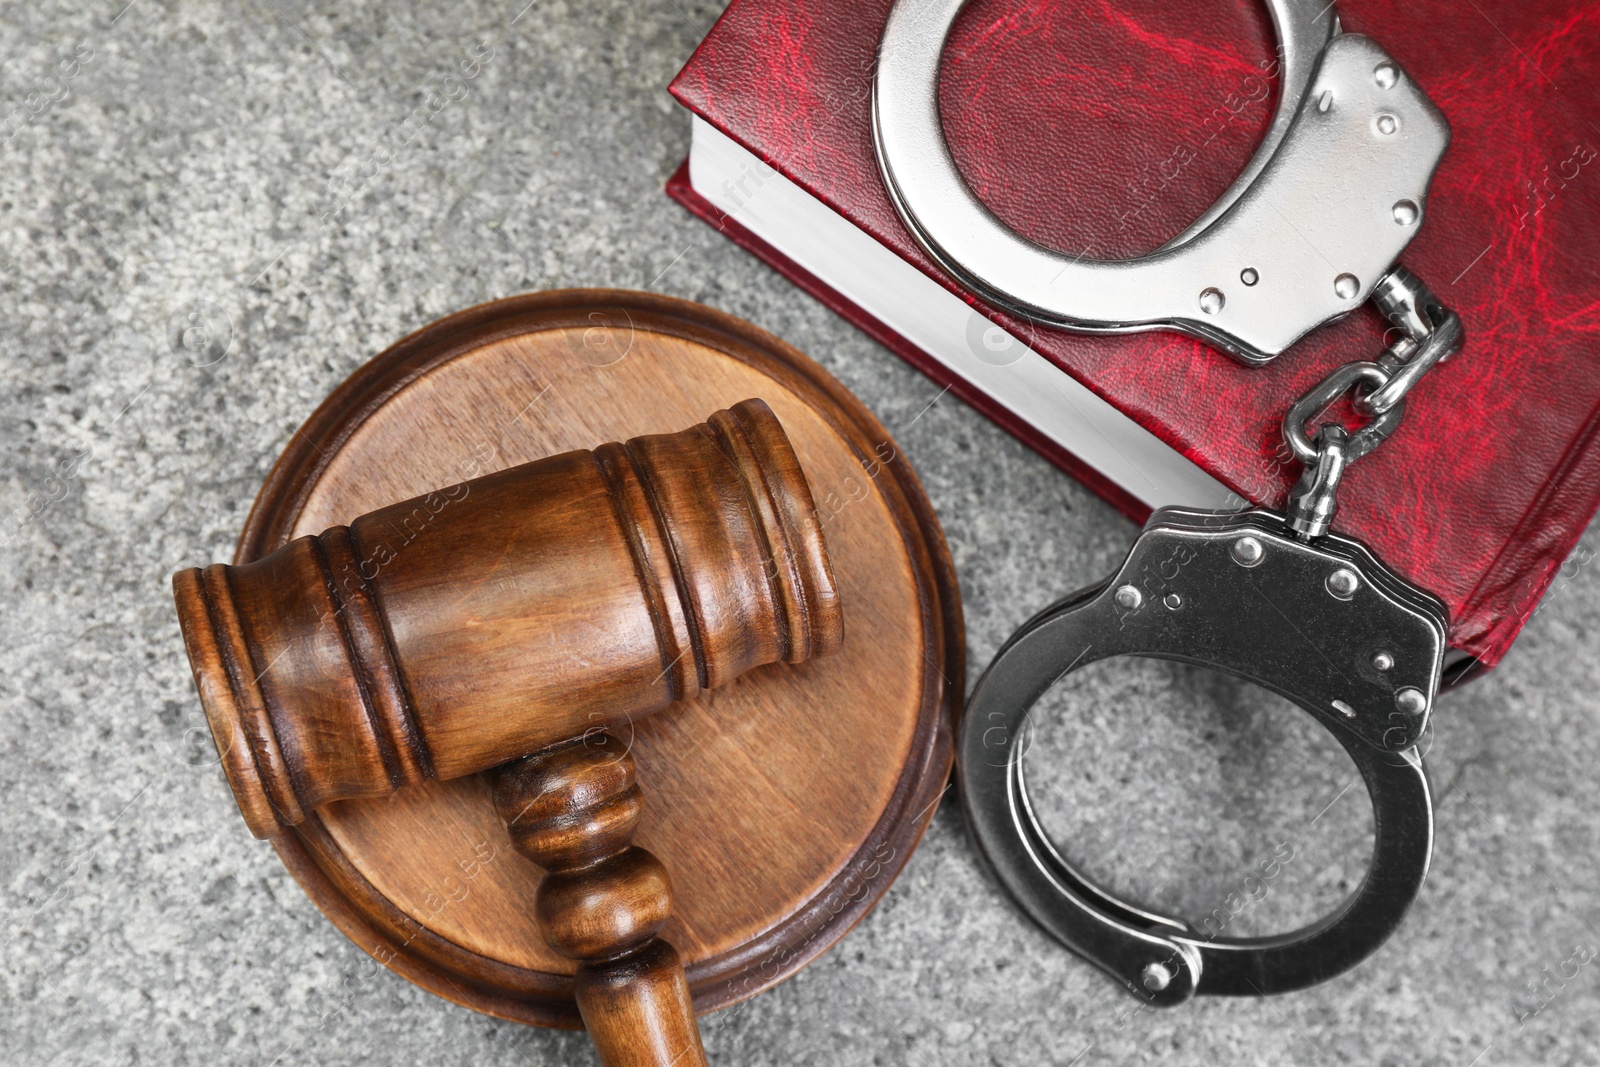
(190, 161)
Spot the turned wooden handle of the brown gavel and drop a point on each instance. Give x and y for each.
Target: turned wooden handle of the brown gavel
(574, 812)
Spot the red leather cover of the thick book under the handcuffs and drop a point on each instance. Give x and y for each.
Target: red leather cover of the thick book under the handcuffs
(1105, 127)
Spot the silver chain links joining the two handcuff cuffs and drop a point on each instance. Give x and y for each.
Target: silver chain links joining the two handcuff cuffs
(1430, 334)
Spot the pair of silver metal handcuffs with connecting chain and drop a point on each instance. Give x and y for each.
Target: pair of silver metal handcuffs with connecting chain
(1310, 231)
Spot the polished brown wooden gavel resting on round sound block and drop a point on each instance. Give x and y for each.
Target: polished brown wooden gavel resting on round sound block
(510, 623)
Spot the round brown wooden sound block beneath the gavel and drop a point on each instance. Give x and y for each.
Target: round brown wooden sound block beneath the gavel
(785, 804)
